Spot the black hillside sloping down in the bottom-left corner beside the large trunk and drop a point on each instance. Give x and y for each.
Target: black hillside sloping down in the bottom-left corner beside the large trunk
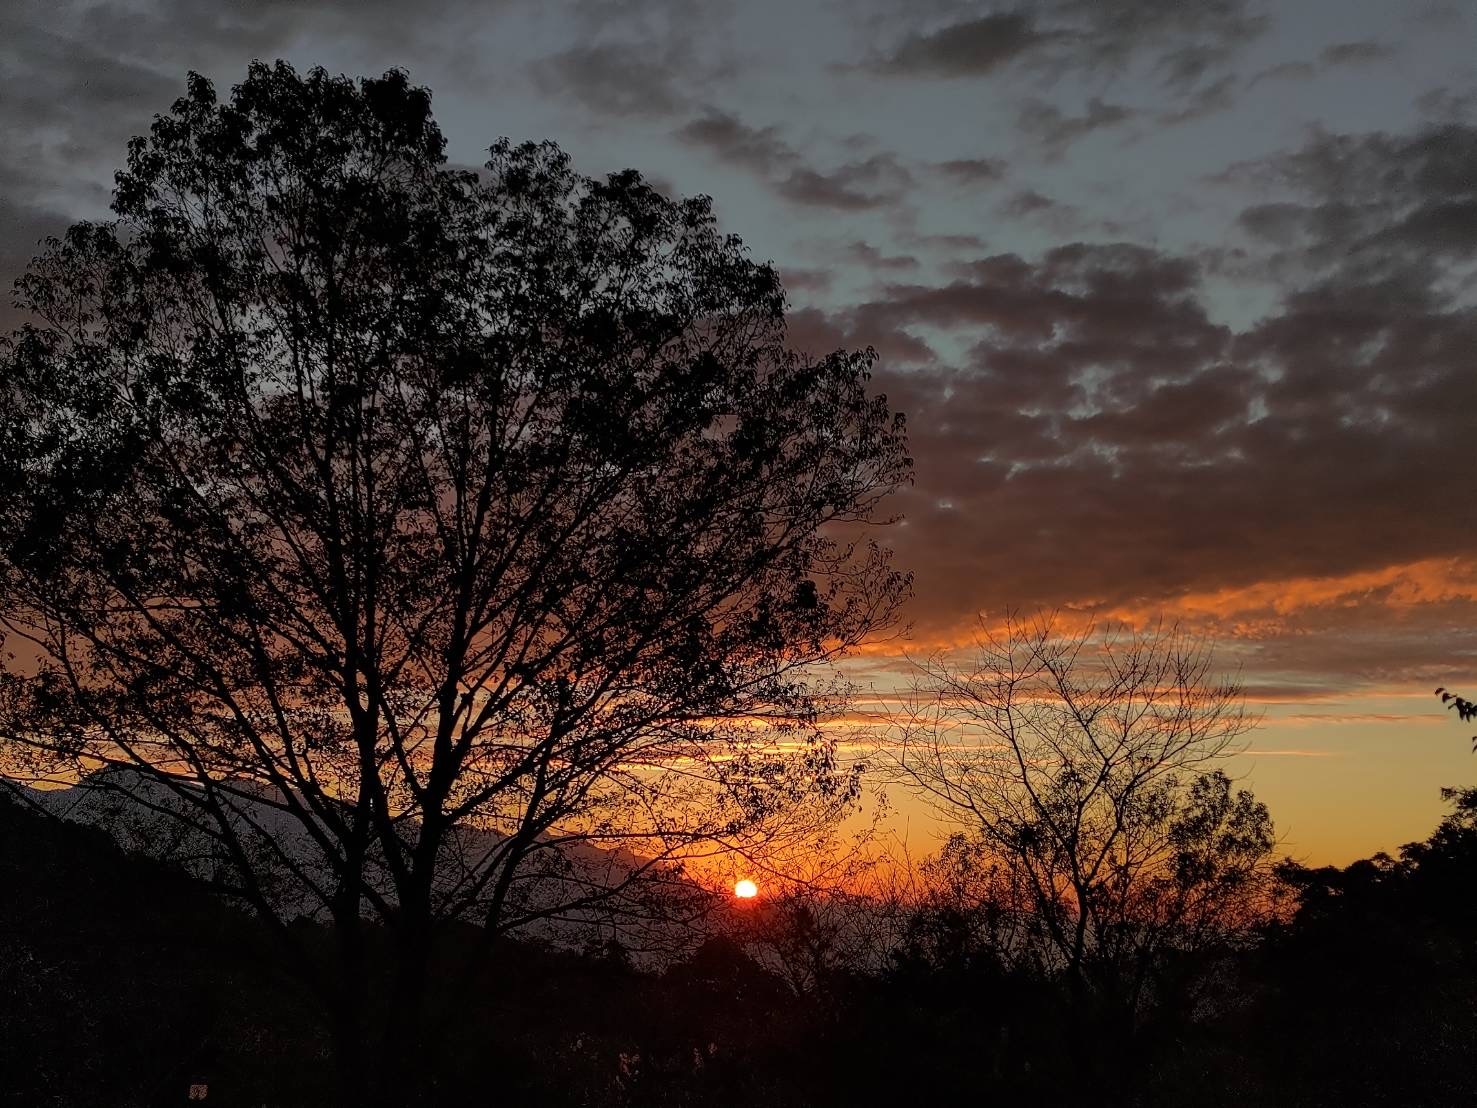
(122, 980)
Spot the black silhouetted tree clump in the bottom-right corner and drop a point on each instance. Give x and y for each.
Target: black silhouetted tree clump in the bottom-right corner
(1367, 994)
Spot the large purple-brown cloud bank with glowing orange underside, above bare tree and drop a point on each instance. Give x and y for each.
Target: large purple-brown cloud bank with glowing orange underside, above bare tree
(1108, 445)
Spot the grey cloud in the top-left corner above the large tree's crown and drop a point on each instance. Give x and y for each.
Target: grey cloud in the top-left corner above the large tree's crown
(83, 78)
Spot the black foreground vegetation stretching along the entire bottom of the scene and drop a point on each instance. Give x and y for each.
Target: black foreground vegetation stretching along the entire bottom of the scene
(125, 983)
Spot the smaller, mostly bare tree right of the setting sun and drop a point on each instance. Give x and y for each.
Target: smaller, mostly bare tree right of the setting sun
(1095, 832)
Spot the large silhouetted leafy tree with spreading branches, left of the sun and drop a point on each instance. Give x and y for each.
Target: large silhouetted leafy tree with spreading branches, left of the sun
(405, 533)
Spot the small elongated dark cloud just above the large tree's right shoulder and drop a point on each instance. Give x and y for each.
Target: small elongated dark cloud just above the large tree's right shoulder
(874, 182)
